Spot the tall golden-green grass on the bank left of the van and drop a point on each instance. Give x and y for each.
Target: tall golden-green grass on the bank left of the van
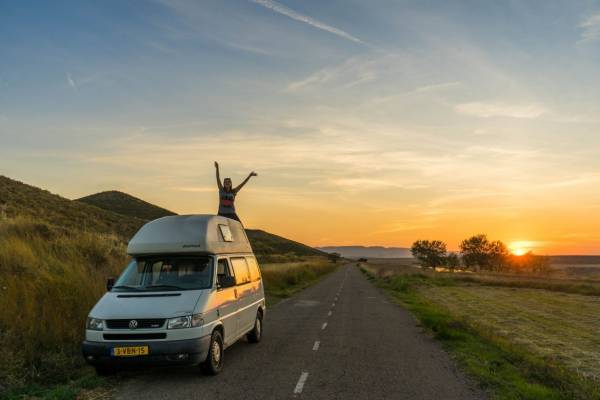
(49, 280)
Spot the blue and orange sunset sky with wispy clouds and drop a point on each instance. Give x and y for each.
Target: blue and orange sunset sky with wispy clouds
(368, 123)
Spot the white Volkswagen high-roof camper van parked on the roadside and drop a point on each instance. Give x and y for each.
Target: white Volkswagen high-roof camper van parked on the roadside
(192, 288)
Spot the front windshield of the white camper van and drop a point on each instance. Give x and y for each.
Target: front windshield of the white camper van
(166, 273)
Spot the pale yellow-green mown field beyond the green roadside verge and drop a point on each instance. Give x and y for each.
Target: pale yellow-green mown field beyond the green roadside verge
(559, 327)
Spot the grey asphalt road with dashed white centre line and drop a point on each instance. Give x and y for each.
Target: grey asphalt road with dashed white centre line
(339, 339)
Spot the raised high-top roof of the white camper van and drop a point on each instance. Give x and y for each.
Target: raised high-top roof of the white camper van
(190, 234)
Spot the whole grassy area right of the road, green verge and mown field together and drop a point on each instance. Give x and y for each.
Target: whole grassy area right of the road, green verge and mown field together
(519, 342)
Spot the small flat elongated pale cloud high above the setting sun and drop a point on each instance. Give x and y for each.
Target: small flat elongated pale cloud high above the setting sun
(487, 110)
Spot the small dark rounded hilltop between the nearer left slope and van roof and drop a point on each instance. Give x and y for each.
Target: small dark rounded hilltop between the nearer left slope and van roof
(125, 204)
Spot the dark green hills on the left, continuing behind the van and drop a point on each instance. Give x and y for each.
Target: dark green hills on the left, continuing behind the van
(115, 212)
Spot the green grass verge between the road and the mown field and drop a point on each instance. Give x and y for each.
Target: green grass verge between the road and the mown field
(501, 367)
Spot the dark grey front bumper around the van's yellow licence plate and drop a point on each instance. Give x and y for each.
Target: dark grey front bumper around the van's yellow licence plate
(175, 352)
